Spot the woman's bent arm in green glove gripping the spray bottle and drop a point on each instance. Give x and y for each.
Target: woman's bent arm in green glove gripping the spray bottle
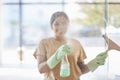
(44, 64)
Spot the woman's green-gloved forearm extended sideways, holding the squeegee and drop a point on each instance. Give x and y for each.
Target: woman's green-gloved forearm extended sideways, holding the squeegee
(94, 63)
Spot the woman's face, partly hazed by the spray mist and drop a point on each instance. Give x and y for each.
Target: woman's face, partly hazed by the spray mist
(60, 26)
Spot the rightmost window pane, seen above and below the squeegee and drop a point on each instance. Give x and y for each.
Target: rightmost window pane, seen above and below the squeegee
(113, 32)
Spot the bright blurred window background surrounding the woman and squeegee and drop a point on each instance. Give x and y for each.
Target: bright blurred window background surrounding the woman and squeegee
(23, 23)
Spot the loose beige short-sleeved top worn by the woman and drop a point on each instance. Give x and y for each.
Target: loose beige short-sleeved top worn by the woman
(47, 48)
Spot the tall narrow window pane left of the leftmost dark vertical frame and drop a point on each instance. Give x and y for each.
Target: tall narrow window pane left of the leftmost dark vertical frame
(10, 33)
